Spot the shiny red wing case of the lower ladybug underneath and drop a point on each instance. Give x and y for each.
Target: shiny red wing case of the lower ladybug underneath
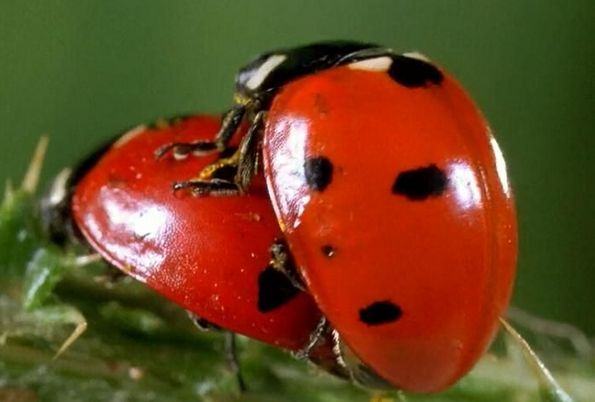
(204, 253)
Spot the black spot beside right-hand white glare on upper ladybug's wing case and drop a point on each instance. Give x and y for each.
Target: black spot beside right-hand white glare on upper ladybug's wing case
(419, 184)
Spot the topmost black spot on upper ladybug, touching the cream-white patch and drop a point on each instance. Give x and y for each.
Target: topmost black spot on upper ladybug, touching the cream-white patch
(414, 73)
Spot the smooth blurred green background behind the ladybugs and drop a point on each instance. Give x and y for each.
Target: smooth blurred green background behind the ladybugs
(84, 70)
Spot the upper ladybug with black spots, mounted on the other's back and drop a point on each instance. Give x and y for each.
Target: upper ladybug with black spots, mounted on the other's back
(392, 194)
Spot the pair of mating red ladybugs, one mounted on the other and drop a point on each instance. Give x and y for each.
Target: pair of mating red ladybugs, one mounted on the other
(388, 253)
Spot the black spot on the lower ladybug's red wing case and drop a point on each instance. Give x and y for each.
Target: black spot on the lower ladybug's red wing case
(274, 290)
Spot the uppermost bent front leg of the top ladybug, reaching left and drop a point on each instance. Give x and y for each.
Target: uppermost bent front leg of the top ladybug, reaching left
(230, 123)
